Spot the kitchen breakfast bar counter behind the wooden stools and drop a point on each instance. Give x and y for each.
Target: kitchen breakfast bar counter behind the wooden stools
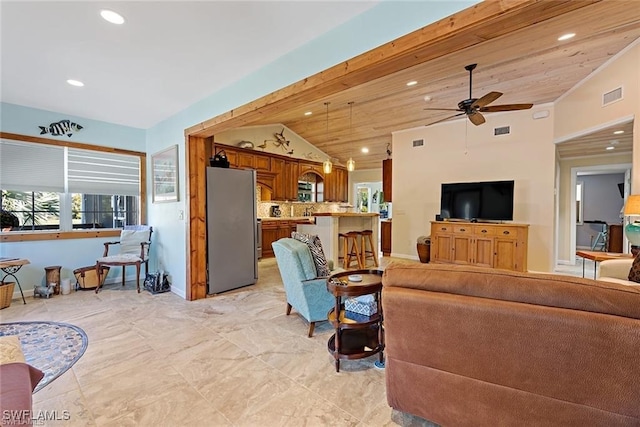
(329, 224)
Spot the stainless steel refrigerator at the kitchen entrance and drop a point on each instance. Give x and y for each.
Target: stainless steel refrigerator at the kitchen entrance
(231, 229)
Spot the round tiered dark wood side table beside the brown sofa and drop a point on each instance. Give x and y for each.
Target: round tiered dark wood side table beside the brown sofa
(355, 339)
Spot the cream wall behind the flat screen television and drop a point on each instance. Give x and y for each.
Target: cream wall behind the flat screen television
(458, 151)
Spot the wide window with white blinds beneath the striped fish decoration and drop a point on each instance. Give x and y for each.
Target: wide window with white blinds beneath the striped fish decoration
(69, 186)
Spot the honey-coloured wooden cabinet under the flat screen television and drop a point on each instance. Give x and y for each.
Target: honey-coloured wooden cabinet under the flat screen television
(501, 246)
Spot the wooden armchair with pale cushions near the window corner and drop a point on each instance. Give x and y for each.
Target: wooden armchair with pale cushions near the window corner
(135, 243)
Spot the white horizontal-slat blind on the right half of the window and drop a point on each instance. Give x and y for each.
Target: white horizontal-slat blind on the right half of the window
(96, 172)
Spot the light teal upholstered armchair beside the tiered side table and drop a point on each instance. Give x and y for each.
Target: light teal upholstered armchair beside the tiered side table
(305, 292)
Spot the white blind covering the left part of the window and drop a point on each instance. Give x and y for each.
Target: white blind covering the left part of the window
(31, 167)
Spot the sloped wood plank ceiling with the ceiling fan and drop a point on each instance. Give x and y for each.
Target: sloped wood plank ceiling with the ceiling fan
(514, 44)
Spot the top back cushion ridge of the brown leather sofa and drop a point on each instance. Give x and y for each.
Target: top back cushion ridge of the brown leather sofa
(551, 290)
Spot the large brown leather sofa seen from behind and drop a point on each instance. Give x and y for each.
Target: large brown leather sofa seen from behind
(471, 346)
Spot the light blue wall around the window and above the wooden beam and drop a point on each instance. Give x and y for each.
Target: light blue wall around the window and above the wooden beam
(380, 24)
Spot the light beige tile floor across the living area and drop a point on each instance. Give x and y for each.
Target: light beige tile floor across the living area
(231, 360)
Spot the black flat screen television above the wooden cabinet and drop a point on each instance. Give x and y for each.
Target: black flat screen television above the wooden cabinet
(490, 201)
